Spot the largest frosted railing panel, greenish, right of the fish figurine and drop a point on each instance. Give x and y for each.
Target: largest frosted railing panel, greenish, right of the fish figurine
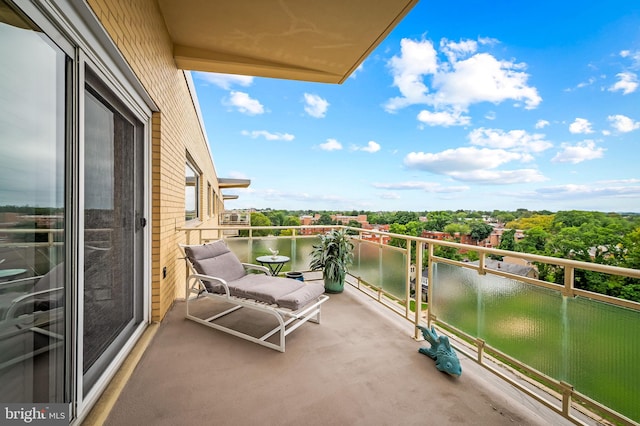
(589, 344)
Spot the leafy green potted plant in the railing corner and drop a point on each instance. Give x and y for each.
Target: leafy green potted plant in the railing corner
(333, 256)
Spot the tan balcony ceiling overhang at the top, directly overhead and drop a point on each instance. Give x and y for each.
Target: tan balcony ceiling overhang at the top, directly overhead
(320, 41)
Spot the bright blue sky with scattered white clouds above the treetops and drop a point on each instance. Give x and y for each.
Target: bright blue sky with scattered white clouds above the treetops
(482, 106)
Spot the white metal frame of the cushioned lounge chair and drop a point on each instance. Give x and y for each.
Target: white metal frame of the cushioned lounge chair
(288, 320)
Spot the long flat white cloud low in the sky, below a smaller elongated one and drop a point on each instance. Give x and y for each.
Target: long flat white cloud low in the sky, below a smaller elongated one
(471, 164)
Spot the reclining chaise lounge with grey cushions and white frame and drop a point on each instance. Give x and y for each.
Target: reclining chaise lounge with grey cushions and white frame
(218, 274)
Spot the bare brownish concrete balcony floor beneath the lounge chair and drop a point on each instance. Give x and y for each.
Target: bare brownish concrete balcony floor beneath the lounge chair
(360, 366)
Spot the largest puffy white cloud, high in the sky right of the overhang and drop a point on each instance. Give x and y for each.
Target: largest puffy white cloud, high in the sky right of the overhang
(466, 77)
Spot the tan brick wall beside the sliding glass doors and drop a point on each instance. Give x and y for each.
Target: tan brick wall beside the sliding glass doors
(138, 30)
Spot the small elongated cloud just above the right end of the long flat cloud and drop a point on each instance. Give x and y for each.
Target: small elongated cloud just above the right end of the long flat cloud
(515, 140)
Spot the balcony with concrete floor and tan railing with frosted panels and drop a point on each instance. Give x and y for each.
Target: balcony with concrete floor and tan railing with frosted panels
(532, 352)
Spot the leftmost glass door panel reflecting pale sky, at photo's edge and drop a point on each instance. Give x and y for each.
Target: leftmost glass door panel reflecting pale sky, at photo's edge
(33, 88)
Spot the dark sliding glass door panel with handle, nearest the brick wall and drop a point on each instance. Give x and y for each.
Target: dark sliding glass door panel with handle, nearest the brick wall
(113, 242)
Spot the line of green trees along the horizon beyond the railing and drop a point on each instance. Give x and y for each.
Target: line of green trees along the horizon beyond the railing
(605, 238)
